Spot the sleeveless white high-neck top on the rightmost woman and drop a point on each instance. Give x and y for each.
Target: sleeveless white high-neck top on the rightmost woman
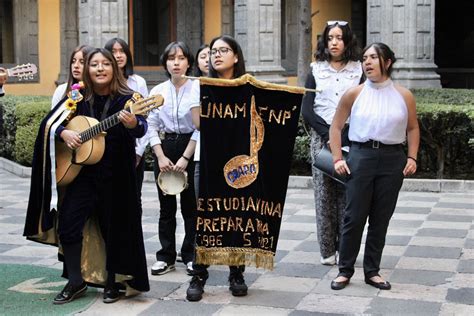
(379, 113)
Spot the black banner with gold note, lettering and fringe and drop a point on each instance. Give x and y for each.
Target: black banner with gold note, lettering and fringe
(248, 130)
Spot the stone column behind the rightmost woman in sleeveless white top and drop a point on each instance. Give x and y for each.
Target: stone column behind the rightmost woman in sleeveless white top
(407, 26)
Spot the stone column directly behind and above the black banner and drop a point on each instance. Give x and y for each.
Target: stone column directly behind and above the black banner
(257, 29)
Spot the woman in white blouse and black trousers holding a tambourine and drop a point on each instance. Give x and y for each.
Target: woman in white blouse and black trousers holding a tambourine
(172, 138)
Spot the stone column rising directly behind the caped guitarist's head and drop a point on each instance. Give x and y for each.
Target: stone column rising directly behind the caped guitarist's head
(101, 20)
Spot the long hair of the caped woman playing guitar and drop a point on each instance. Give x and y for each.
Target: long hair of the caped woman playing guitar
(118, 85)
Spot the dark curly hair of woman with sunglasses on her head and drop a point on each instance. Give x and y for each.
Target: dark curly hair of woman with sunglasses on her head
(351, 47)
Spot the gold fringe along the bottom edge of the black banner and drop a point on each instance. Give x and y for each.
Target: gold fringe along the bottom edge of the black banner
(232, 256)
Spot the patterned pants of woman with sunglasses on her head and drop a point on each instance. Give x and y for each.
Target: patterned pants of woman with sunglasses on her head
(330, 202)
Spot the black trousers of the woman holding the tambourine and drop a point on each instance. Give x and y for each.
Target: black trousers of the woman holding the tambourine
(173, 148)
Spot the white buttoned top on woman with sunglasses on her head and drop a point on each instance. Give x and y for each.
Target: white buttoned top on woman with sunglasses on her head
(332, 84)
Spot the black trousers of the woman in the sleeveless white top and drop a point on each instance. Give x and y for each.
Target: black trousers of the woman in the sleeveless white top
(372, 192)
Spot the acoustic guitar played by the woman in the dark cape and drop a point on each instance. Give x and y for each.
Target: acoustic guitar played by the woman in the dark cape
(92, 132)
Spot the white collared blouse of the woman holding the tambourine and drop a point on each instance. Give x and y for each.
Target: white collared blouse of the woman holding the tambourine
(174, 116)
